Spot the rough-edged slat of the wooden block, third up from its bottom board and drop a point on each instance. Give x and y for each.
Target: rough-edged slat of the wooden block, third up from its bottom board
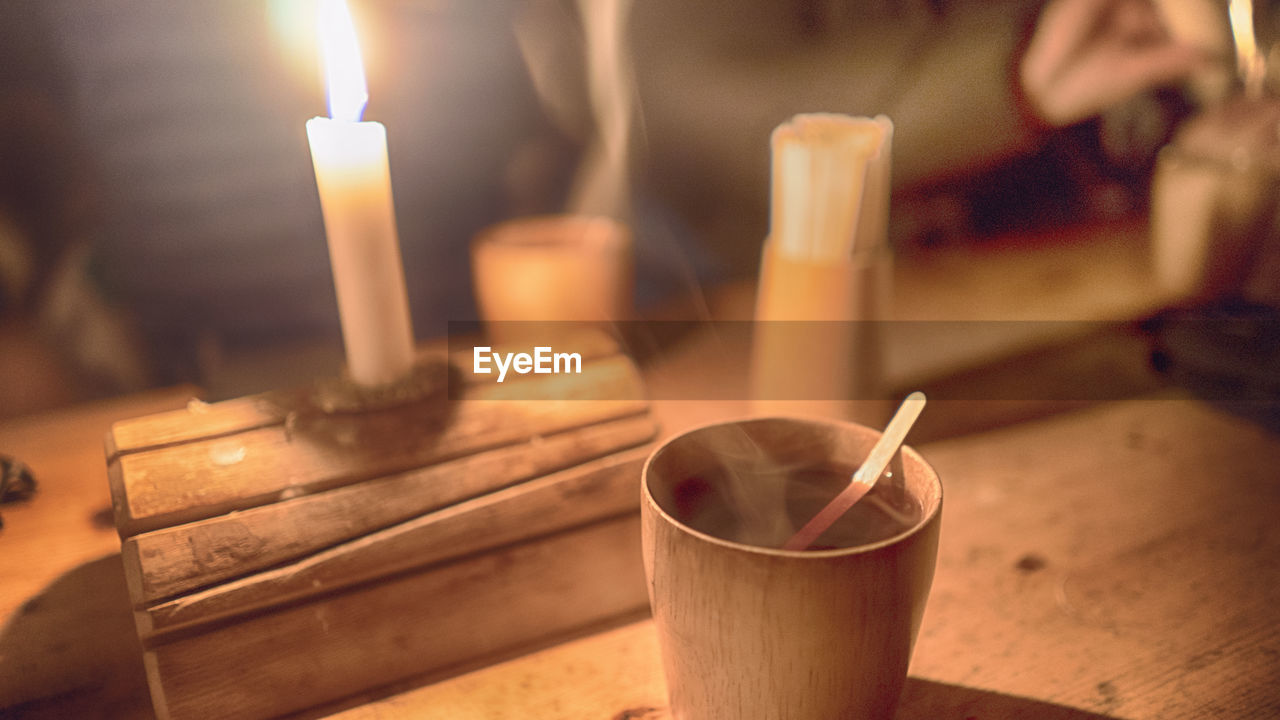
(179, 560)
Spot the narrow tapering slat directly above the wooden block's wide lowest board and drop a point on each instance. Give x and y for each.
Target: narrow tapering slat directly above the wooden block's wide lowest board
(601, 489)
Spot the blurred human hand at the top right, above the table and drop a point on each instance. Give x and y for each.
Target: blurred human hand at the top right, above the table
(1087, 56)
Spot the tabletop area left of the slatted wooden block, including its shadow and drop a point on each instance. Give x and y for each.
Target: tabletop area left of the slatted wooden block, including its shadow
(67, 644)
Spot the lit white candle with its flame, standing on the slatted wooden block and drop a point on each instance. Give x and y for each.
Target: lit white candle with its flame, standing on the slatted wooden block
(354, 177)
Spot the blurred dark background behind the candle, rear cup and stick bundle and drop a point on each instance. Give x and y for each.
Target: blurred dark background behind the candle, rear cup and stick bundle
(159, 220)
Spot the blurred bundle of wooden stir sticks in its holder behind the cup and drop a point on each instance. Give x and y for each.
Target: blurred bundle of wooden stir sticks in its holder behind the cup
(825, 268)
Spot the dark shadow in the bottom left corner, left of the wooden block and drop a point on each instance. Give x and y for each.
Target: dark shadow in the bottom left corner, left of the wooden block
(72, 651)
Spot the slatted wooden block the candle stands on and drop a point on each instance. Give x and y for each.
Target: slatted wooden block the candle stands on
(281, 557)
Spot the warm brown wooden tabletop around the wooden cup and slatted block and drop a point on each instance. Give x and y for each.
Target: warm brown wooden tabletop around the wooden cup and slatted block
(1113, 560)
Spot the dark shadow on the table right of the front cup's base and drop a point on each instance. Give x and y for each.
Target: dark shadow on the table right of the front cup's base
(927, 700)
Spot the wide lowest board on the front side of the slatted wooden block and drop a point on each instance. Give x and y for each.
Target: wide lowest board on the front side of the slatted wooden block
(300, 655)
